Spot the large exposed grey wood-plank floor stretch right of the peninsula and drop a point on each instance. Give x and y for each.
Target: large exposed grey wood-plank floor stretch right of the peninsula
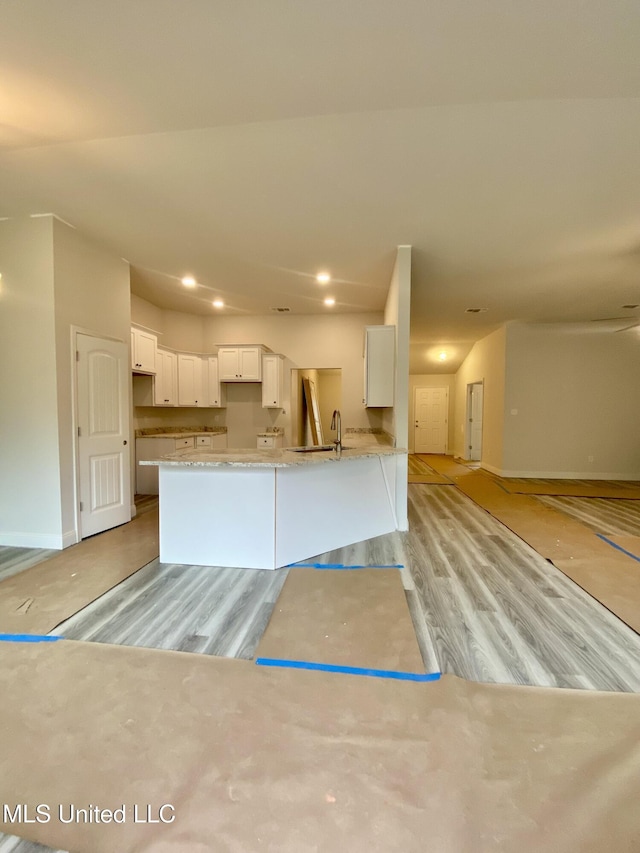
(497, 611)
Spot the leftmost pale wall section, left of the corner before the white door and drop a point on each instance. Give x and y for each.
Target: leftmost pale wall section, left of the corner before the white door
(30, 506)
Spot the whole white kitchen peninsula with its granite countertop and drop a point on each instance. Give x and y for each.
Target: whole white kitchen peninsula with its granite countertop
(264, 509)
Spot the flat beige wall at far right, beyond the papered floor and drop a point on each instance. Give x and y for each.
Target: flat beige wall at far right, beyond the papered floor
(571, 396)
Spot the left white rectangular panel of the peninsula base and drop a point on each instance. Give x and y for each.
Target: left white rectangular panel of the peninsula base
(217, 516)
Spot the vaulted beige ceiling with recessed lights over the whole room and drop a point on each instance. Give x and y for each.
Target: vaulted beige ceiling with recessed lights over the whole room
(255, 144)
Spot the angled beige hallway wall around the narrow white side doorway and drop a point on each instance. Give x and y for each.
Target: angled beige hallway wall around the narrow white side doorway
(485, 363)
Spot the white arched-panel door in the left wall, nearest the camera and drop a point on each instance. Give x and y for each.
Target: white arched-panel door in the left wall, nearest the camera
(103, 441)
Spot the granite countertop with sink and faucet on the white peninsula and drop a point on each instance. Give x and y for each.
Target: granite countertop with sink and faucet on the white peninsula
(253, 458)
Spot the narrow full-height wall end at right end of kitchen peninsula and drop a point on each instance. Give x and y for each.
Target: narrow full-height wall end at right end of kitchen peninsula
(397, 313)
